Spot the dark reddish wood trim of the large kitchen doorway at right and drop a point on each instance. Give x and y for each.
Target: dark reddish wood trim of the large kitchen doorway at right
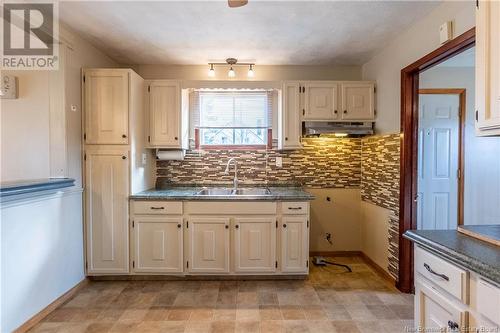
(409, 143)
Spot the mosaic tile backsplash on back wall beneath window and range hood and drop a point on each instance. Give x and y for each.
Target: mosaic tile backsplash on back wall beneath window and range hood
(322, 162)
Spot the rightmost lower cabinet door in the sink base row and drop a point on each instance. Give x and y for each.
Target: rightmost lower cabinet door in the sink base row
(294, 244)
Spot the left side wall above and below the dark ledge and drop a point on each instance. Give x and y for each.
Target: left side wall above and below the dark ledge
(42, 240)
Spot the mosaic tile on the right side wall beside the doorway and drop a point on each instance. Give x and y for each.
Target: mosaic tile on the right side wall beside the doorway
(380, 184)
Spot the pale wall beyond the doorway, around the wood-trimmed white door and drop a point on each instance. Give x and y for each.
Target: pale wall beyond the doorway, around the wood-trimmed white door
(482, 155)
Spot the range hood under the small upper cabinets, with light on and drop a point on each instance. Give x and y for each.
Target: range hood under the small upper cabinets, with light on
(316, 128)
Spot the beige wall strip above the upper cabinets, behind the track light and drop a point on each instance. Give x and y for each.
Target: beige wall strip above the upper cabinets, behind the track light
(262, 72)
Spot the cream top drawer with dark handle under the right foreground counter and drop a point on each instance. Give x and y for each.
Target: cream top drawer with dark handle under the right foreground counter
(450, 278)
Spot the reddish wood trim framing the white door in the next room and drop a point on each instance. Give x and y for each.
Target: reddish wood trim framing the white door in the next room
(461, 139)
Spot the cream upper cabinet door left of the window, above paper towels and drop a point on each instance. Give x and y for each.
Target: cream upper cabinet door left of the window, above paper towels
(165, 114)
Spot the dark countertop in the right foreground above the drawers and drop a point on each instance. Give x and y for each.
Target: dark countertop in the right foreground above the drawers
(468, 252)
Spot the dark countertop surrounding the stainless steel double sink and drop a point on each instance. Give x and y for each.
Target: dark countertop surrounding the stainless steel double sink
(280, 193)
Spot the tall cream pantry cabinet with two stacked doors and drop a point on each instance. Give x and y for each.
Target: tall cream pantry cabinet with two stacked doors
(116, 164)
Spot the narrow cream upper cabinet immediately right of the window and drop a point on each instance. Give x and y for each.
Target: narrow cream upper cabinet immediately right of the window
(289, 128)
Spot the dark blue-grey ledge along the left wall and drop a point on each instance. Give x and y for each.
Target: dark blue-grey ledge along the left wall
(33, 185)
